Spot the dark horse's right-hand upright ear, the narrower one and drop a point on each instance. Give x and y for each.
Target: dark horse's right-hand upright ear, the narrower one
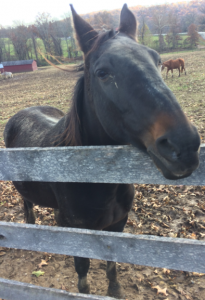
(128, 23)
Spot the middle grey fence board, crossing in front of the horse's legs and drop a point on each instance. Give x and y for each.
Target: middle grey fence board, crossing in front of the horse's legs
(170, 253)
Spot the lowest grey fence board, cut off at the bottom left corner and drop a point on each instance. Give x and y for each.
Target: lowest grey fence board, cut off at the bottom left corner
(15, 290)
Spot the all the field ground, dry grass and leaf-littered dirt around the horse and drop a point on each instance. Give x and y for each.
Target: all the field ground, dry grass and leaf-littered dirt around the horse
(174, 211)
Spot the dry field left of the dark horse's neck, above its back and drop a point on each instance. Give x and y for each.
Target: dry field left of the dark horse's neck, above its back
(47, 86)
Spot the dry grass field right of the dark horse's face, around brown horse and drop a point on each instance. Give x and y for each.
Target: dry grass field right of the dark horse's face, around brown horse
(190, 89)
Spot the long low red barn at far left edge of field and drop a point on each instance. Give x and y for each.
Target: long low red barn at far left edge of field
(20, 66)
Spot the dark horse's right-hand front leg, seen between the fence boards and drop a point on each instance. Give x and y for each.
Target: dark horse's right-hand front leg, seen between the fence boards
(114, 288)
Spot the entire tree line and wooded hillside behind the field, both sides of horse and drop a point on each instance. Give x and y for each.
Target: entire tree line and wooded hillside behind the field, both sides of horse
(55, 39)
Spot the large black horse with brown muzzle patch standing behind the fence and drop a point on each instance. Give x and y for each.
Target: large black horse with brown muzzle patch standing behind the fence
(120, 99)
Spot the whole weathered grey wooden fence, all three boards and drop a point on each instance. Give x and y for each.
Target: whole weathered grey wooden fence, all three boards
(119, 164)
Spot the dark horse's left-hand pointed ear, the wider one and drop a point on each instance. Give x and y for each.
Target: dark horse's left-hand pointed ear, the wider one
(85, 33)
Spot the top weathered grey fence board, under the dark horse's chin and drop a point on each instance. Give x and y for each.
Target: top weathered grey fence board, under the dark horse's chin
(107, 164)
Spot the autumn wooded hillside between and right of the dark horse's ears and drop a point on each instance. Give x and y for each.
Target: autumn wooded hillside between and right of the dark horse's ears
(166, 21)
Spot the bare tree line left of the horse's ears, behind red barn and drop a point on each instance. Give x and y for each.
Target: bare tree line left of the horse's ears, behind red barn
(45, 38)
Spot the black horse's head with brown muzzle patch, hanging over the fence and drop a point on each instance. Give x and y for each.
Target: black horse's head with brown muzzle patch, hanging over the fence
(129, 101)
